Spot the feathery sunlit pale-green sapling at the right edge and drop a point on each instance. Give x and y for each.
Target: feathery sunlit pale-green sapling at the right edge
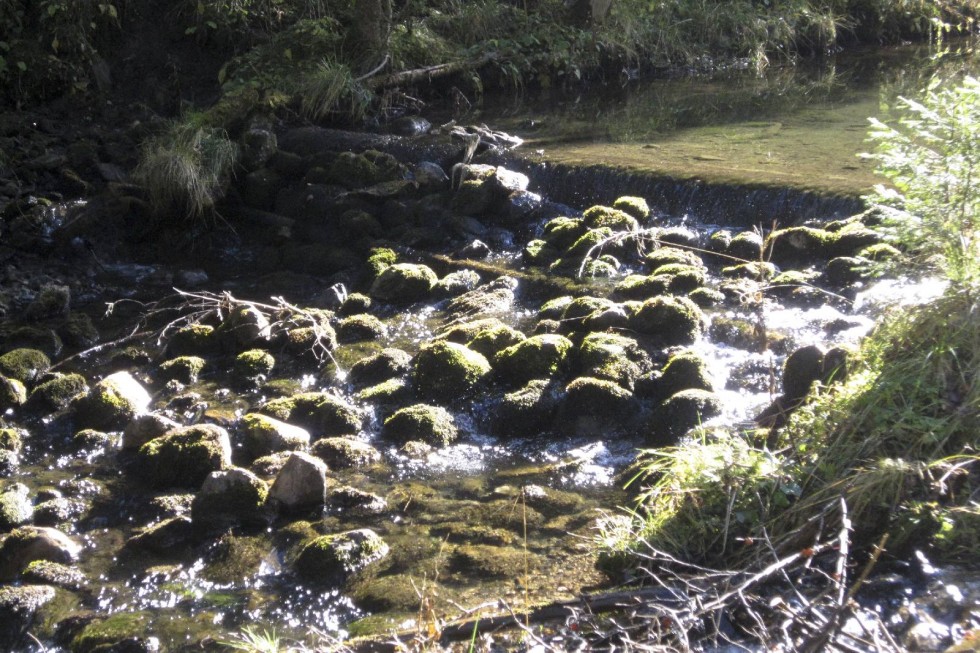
(932, 159)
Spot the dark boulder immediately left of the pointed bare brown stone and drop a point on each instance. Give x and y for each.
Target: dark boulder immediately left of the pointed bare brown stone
(230, 497)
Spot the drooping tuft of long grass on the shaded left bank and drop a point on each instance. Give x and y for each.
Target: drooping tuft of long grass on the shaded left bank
(186, 170)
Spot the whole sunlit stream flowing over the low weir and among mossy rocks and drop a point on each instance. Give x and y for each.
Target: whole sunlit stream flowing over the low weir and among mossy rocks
(495, 514)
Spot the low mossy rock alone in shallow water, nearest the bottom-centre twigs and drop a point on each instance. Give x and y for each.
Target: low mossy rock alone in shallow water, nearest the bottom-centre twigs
(336, 559)
